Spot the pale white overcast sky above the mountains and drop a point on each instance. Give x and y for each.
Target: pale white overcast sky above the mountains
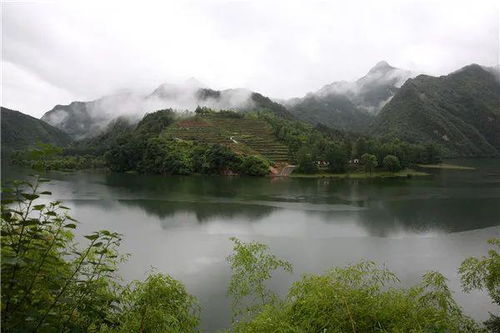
(56, 52)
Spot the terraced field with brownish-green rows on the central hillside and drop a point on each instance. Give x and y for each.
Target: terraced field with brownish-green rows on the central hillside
(250, 136)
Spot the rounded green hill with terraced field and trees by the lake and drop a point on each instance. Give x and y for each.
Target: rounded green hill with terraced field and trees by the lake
(210, 142)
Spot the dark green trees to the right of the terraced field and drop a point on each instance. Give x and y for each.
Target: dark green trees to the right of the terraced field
(308, 145)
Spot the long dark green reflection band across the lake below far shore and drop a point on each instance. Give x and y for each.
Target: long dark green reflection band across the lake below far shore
(392, 206)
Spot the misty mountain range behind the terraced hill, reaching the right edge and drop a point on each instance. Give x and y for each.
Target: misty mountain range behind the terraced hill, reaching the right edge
(459, 111)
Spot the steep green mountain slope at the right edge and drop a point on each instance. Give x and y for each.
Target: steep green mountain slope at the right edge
(460, 112)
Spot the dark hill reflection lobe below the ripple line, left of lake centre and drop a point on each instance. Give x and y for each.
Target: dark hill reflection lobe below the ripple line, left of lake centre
(204, 211)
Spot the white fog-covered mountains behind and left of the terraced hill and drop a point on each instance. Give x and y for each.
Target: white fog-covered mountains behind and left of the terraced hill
(85, 119)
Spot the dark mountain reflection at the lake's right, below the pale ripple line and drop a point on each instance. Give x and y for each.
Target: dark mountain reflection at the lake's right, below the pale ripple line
(385, 218)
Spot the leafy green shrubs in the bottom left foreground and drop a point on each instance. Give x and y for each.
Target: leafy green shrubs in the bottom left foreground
(50, 284)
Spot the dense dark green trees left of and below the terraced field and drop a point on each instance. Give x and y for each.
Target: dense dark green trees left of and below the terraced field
(143, 149)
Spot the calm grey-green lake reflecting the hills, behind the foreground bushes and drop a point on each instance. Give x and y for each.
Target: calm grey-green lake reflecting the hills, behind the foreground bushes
(181, 225)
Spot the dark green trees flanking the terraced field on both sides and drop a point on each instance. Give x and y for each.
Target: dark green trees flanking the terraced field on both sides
(143, 148)
